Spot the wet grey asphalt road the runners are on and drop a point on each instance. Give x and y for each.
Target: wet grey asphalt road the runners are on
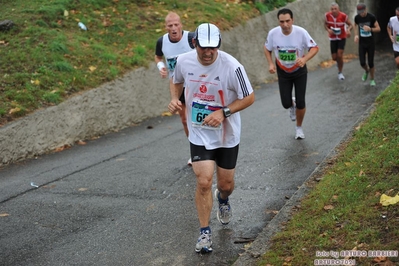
(127, 198)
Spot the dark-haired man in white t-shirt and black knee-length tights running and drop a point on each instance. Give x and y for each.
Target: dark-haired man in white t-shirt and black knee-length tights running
(293, 47)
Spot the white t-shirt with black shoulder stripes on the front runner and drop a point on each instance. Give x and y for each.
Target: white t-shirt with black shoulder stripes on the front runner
(209, 88)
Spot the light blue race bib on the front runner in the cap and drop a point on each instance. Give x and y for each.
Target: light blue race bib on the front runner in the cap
(200, 110)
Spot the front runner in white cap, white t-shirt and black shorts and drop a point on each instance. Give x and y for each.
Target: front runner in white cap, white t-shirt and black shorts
(217, 88)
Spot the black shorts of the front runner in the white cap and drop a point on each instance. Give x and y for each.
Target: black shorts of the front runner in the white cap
(224, 157)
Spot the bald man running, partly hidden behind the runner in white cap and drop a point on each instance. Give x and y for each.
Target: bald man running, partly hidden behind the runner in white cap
(169, 46)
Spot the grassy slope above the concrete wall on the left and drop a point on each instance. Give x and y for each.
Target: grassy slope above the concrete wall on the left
(46, 57)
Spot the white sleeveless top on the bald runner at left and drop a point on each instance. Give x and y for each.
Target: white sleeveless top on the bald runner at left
(172, 50)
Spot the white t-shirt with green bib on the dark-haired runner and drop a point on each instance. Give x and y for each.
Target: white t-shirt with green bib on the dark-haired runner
(287, 48)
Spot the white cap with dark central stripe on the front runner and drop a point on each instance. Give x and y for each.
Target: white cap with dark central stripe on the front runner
(208, 35)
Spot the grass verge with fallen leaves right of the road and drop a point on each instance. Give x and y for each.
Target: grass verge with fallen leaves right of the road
(342, 212)
